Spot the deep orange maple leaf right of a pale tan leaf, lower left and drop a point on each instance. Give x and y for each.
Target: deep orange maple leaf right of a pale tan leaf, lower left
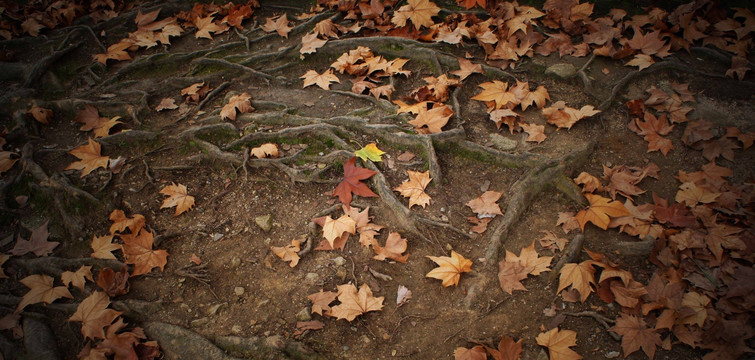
(137, 248)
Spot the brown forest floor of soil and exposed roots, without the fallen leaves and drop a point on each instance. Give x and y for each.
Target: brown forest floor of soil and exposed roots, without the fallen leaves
(223, 282)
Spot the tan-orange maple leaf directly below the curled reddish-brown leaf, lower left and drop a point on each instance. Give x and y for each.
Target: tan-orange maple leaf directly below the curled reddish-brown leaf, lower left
(94, 315)
